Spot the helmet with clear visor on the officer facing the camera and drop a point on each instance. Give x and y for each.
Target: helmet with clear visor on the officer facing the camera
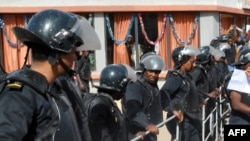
(152, 61)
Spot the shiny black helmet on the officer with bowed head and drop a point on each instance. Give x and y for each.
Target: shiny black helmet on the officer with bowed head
(115, 77)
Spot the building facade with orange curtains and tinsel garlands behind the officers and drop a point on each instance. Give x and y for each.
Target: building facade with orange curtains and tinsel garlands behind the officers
(159, 25)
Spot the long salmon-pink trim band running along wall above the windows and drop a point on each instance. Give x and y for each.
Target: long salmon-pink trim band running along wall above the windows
(131, 8)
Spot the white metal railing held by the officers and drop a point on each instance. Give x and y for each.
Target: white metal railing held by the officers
(215, 119)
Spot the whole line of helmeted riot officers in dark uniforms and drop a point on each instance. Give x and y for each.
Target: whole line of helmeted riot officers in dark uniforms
(41, 101)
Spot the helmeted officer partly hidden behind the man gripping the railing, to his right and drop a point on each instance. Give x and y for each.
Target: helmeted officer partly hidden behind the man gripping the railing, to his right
(207, 77)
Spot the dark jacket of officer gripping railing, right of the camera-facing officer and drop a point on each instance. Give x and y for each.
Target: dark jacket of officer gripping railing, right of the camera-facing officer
(183, 95)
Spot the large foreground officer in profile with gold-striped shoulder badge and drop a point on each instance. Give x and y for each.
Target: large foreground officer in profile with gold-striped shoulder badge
(29, 109)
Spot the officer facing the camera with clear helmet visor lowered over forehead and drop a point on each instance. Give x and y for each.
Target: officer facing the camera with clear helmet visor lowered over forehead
(141, 102)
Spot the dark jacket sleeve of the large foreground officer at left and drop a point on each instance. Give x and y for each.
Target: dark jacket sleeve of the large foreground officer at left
(16, 114)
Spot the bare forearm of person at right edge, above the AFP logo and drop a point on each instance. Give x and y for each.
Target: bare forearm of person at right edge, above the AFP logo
(236, 103)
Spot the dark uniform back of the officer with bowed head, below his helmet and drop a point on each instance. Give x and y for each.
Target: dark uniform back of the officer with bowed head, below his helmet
(105, 120)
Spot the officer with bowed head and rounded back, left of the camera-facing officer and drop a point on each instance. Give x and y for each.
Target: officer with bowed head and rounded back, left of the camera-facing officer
(105, 120)
